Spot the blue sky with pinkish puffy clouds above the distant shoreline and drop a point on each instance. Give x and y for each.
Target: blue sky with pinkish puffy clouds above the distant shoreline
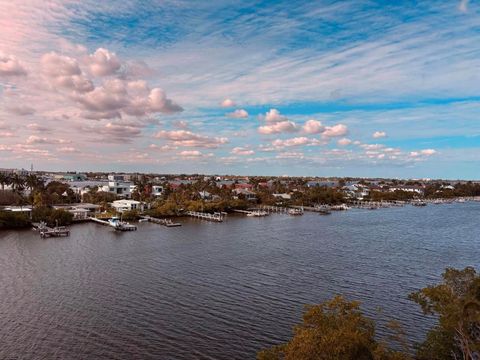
(297, 88)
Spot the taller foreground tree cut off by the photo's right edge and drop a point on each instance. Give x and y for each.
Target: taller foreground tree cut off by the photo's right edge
(456, 303)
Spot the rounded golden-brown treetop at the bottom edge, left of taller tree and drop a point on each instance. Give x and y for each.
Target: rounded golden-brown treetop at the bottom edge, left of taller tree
(333, 330)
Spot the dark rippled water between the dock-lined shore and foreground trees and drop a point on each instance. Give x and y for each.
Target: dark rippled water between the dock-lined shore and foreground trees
(219, 291)
